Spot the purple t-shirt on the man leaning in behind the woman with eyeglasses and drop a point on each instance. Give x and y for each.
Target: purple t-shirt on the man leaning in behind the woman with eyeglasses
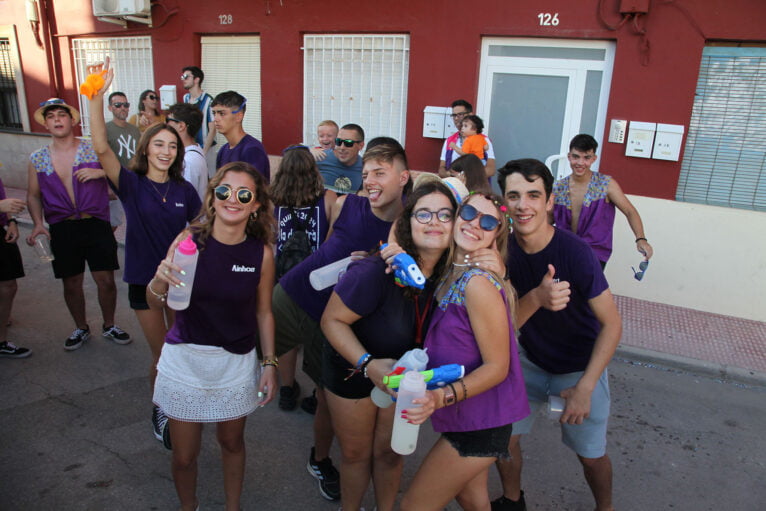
(356, 228)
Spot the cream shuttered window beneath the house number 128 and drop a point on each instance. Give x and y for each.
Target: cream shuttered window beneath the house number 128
(234, 63)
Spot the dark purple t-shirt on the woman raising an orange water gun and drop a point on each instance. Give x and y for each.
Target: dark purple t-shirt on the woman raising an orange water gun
(155, 213)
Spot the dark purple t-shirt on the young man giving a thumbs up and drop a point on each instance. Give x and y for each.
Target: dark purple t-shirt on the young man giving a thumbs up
(559, 342)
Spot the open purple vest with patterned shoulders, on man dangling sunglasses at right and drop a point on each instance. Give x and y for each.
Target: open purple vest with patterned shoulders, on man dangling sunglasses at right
(596, 221)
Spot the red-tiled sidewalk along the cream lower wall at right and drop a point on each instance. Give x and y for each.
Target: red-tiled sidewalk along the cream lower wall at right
(720, 346)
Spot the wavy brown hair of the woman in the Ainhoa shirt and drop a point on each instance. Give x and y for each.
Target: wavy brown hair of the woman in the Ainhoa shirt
(261, 228)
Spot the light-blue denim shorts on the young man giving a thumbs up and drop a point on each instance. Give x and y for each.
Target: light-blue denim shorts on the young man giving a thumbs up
(587, 439)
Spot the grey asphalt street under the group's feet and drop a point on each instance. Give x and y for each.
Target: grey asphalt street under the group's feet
(75, 431)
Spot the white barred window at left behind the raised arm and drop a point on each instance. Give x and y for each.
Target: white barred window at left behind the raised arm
(131, 58)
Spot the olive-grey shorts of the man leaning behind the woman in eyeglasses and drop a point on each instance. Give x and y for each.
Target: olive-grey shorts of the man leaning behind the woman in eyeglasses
(293, 328)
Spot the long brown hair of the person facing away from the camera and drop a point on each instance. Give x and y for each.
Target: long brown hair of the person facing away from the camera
(298, 182)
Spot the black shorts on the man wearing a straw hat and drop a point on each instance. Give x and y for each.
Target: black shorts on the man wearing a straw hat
(73, 242)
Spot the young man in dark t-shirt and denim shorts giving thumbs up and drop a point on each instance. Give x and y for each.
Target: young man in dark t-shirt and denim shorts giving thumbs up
(569, 326)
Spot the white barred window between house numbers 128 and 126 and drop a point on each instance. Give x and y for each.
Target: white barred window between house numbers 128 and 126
(356, 78)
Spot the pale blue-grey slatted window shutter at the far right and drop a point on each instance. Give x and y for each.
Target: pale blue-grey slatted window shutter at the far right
(725, 157)
